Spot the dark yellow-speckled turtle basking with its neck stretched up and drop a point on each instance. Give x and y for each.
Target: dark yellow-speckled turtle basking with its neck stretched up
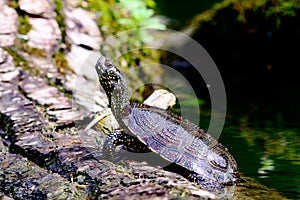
(178, 140)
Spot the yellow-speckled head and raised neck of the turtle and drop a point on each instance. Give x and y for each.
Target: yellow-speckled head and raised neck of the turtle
(113, 82)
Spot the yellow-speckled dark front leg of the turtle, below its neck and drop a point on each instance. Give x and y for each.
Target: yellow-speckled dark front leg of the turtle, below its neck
(117, 141)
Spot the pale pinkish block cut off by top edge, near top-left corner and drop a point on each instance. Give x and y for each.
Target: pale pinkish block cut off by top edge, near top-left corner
(42, 8)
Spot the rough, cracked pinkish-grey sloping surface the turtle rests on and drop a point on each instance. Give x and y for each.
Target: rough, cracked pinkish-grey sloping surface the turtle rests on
(45, 153)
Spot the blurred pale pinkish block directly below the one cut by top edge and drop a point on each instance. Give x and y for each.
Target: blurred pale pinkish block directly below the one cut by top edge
(45, 34)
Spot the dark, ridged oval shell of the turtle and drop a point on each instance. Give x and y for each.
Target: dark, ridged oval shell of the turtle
(180, 141)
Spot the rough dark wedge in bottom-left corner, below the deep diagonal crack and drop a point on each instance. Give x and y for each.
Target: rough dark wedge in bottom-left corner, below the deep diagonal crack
(22, 179)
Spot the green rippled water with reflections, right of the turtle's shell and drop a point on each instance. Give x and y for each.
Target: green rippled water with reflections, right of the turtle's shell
(267, 151)
